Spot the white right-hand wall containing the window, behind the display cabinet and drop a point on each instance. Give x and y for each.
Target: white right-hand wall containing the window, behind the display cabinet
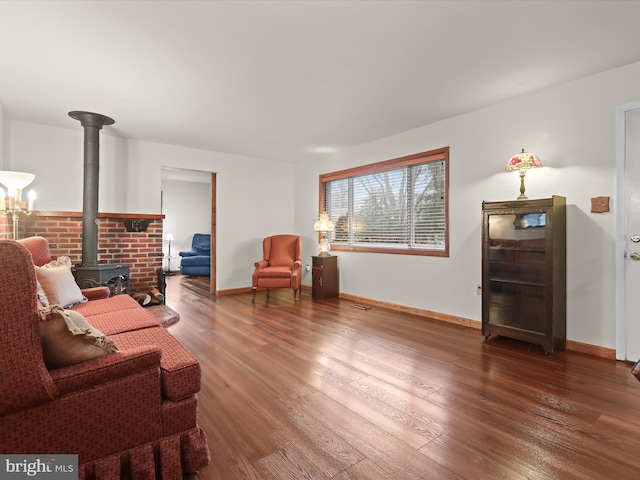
(571, 128)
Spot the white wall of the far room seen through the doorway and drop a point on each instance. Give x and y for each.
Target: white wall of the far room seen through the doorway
(187, 210)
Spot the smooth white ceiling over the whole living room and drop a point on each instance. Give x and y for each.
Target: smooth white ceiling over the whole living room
(282, 79)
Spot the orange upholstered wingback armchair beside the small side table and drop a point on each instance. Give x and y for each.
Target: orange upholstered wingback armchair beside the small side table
(281, 266)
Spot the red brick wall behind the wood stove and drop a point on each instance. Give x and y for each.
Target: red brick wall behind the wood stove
(142, 251)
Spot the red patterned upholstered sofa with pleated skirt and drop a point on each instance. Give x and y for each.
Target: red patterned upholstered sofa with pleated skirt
(130, 414)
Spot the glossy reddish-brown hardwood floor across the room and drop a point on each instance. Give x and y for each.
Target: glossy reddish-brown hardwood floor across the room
(323, 390)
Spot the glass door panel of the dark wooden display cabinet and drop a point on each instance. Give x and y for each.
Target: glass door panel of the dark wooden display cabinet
(517, 270)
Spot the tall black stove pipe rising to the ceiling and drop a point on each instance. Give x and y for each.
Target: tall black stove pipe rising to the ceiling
(92, 124)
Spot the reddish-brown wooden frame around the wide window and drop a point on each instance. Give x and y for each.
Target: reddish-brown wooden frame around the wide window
(414, 159)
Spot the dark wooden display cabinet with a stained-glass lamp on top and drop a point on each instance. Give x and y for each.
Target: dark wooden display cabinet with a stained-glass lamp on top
(524, 271)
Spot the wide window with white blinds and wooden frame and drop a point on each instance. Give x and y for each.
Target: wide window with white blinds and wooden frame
(396, 206)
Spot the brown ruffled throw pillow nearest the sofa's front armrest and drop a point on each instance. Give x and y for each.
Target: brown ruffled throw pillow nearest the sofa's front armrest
(68, 338)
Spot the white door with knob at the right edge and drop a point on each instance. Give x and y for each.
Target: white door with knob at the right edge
(632, 258)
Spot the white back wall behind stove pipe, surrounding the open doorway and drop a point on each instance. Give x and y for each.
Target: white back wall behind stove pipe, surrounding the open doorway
(254, 197)
